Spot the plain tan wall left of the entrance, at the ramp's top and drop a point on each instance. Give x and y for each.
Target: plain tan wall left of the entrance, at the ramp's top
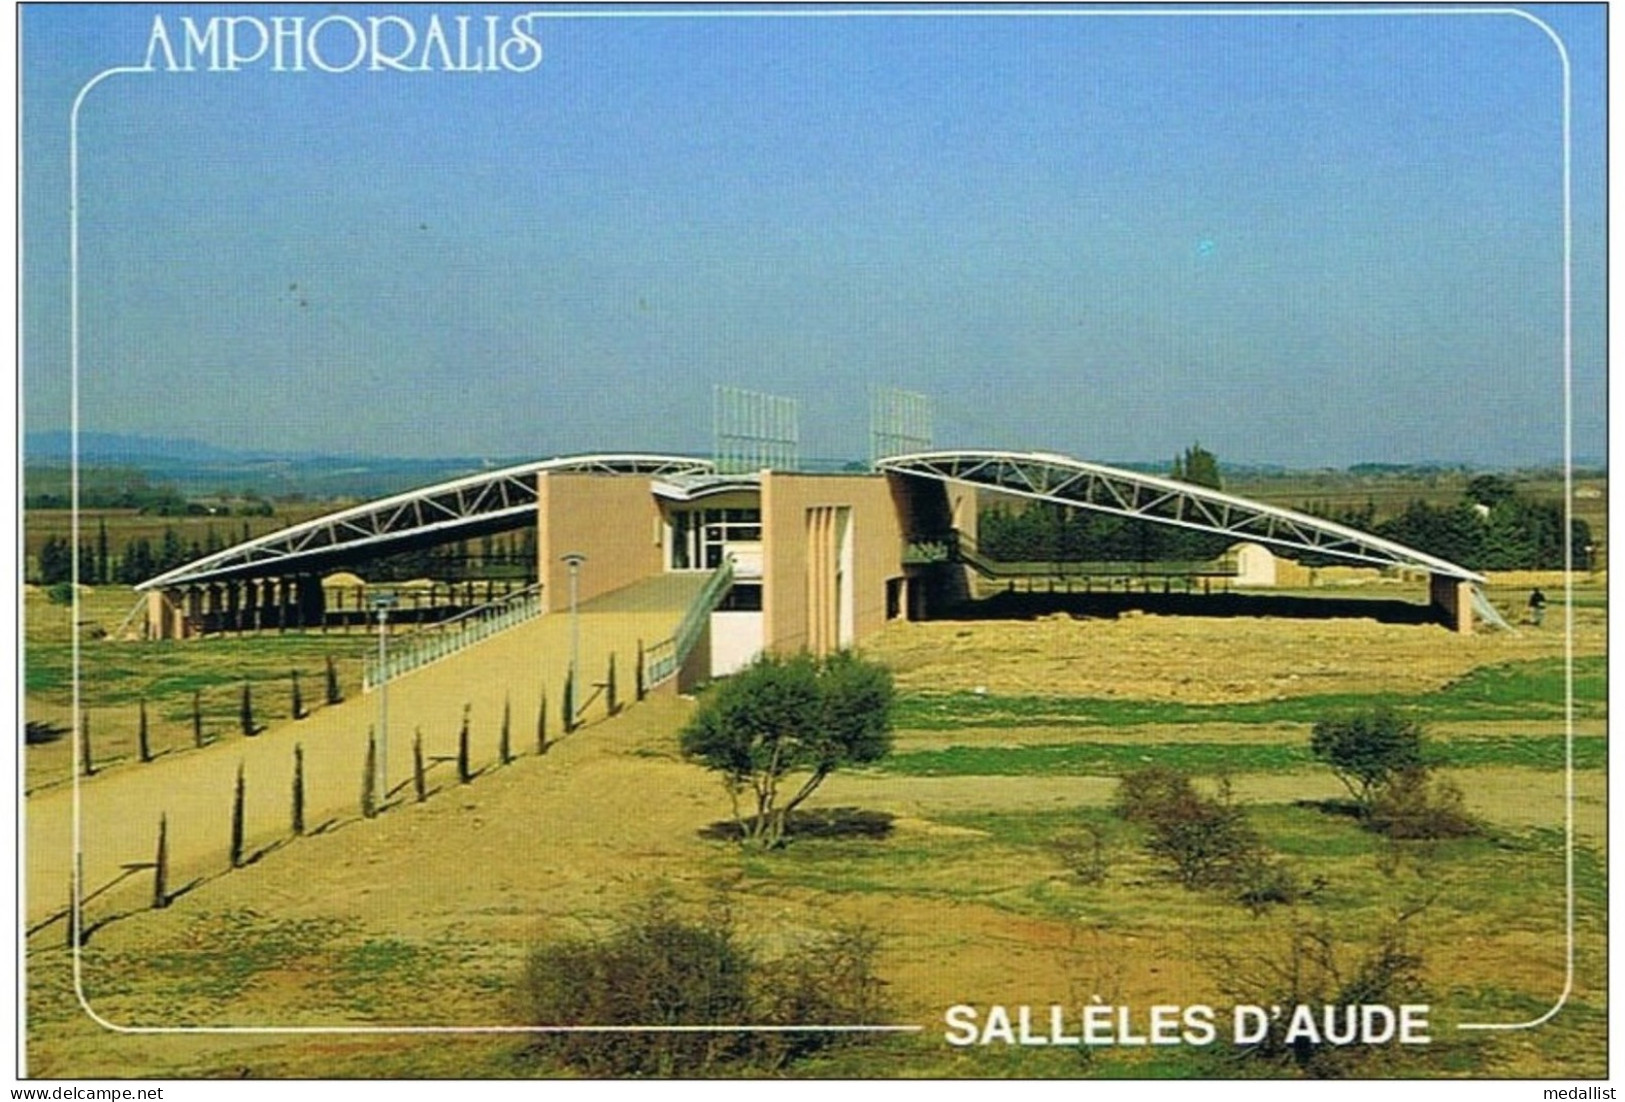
(612, 519)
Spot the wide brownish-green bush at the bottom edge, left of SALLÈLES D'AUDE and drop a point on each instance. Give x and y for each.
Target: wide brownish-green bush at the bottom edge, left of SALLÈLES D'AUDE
(662, 970)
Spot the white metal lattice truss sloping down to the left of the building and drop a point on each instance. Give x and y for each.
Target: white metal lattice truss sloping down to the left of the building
(475, 505)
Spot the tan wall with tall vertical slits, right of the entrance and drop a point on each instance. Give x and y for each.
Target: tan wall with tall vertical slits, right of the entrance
(877, 542)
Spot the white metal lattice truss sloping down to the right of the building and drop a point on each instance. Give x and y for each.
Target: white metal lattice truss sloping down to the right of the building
(1068, 482)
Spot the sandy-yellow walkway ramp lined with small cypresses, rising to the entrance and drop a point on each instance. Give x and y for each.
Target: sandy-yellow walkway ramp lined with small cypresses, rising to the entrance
(194, 789)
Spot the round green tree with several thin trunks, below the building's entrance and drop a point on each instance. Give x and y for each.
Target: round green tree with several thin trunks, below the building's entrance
(782, 718)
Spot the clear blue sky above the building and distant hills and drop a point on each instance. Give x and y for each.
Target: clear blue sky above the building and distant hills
(1298, 240)
